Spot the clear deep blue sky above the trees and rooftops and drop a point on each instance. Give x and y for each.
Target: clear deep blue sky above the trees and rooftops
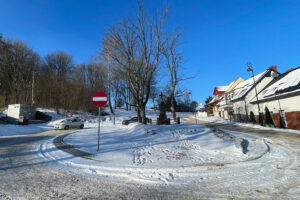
(219, 36)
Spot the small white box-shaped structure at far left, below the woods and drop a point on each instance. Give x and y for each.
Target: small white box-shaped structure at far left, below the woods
(16, 112)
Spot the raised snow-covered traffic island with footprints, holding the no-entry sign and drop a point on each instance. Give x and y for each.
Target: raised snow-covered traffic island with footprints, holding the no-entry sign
(156, 146)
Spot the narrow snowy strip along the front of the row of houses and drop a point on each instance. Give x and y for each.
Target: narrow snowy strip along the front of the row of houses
(222, 121)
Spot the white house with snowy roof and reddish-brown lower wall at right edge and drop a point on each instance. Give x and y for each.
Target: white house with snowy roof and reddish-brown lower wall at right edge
(280, 100)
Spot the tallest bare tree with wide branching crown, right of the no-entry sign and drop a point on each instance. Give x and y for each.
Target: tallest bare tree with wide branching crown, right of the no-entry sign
(136, 46)
